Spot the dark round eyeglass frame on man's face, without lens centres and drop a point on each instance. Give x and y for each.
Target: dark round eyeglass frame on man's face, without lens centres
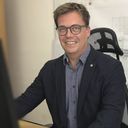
(70, 28)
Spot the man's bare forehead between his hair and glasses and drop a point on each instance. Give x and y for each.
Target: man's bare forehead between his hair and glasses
(70, 18)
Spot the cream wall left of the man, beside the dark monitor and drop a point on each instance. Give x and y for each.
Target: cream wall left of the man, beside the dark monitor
(30, 30)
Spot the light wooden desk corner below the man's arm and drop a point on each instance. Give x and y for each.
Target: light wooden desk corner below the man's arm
(26, 124)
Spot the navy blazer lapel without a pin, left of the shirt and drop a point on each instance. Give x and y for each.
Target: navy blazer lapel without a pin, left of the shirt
(61, 91)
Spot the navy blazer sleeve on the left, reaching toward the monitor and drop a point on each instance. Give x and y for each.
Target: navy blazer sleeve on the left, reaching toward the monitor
(32, 97)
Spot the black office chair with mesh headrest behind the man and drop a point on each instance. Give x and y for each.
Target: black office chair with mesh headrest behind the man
(105, 40)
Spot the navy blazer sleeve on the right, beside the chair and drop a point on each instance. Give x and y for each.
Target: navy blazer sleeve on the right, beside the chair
(113, 99)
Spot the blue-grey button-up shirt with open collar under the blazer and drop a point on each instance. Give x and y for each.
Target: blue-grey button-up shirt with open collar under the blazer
(73, 78)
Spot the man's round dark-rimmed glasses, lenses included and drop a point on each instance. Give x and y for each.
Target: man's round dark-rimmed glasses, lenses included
(74, 29)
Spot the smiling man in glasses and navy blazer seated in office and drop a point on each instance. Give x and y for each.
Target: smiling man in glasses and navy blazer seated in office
(83, 88)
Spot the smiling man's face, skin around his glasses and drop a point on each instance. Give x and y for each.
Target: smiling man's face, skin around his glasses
(71, 43)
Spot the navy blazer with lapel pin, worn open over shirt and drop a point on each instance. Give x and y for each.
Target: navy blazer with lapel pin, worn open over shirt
(101, 92)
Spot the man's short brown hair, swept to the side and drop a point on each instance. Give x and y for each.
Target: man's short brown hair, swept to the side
(70, 7)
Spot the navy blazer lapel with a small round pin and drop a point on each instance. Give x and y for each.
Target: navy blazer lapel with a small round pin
(89, 68)
